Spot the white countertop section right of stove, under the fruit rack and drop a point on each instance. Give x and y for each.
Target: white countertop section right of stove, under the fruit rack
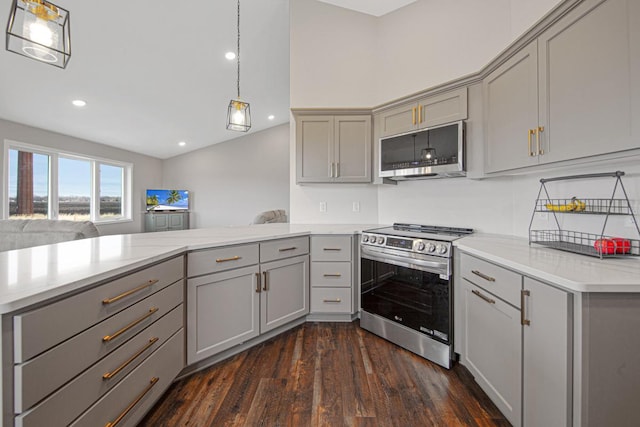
(574, 272)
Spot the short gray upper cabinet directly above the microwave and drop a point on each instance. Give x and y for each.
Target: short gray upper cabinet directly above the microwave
(428, 111)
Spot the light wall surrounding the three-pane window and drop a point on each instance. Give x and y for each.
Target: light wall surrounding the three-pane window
(147, 171)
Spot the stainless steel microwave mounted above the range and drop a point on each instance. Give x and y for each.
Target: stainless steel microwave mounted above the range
(435, 152)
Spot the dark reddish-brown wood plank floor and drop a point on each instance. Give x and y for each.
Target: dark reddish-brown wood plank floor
(326, 374)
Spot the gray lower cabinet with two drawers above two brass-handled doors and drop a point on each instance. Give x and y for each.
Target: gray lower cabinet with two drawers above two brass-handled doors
(236, 293)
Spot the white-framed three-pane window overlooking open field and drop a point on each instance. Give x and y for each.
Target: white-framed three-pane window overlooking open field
(45, 183)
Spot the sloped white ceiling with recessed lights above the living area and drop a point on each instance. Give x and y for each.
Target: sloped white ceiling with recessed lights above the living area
(154, 73)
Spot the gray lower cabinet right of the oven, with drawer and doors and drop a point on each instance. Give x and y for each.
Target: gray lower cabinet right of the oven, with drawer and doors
(519, 352)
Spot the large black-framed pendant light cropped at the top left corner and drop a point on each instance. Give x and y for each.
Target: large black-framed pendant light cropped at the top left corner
(39, 30)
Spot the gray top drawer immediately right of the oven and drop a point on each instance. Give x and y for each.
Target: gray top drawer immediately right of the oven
(499, 281)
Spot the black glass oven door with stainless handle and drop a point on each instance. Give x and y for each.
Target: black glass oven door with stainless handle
(412, 292)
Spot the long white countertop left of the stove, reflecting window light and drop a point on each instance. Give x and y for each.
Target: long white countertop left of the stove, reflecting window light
(33, 275)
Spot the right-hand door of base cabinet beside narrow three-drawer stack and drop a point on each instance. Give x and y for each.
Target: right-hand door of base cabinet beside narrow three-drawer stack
(285, 292)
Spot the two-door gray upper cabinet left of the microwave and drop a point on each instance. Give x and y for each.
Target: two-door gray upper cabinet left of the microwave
(333, 148)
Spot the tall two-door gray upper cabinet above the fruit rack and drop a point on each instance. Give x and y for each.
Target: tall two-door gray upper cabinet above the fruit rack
(570, 94)
